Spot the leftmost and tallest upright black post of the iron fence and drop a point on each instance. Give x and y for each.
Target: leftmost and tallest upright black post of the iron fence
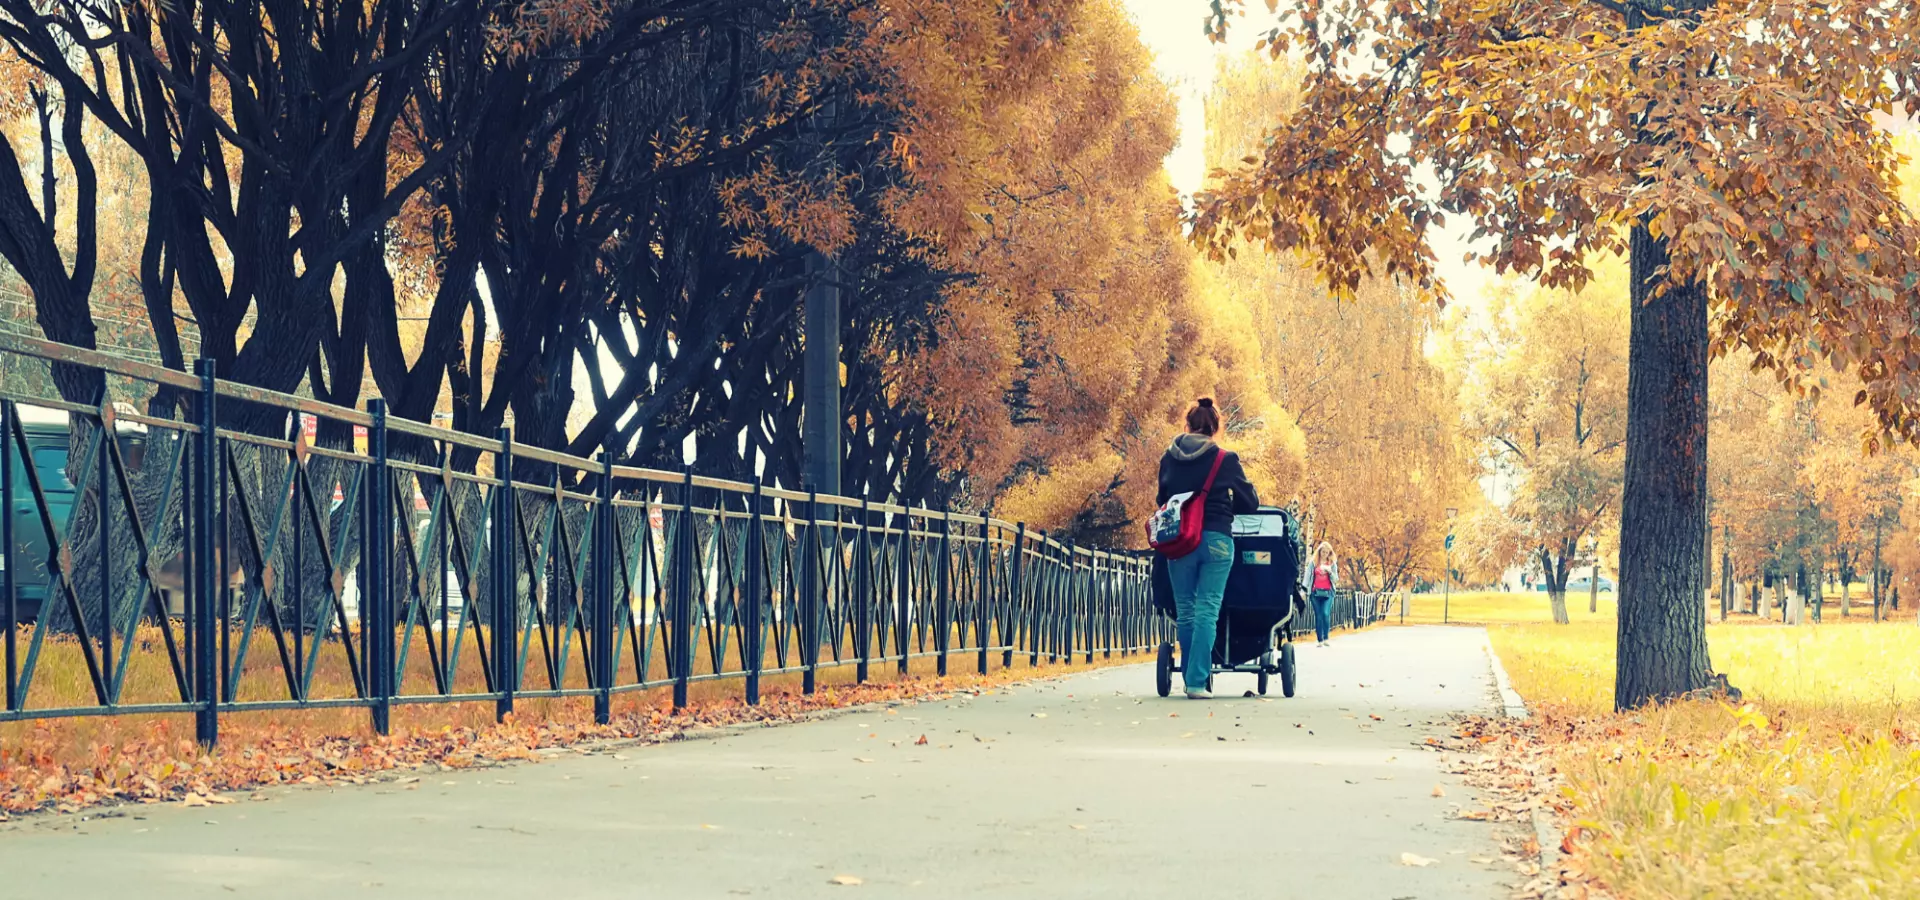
(206, 565)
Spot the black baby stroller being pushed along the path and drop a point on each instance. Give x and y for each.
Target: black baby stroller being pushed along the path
(1259, 611)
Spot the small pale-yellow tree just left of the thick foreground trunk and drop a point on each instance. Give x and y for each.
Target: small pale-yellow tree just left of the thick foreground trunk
(1547, 394)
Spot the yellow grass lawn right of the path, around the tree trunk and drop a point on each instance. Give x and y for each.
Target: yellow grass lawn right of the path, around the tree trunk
(1812, 792)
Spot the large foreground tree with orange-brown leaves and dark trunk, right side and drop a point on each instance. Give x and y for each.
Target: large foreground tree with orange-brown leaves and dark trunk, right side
(1725, 149)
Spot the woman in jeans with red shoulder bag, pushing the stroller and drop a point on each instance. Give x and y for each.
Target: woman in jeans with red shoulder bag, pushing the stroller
(1201, 577)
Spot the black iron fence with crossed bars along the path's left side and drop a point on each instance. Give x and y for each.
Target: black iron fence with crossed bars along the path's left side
(241, 550)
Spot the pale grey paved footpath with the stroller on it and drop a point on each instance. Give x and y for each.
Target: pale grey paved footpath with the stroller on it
(1080, 788)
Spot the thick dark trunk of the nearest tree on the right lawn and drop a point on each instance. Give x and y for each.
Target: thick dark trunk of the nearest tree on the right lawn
(1664, 509)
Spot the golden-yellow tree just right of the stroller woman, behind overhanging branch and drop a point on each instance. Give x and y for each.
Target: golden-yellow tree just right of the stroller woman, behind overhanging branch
(1374, 412)
